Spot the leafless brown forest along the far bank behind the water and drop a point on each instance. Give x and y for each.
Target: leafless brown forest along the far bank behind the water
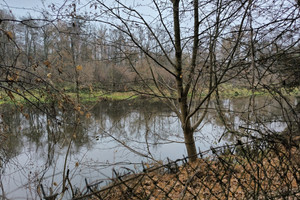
(76, 50)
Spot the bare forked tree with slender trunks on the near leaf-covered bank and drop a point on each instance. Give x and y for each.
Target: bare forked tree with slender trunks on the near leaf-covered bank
(184, 41)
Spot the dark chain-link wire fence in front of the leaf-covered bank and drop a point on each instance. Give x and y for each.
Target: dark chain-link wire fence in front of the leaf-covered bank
(260, 169)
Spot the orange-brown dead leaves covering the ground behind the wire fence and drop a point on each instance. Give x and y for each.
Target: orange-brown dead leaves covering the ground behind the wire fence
(224, 177)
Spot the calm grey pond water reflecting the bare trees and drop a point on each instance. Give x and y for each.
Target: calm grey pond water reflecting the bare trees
(116, 134)
